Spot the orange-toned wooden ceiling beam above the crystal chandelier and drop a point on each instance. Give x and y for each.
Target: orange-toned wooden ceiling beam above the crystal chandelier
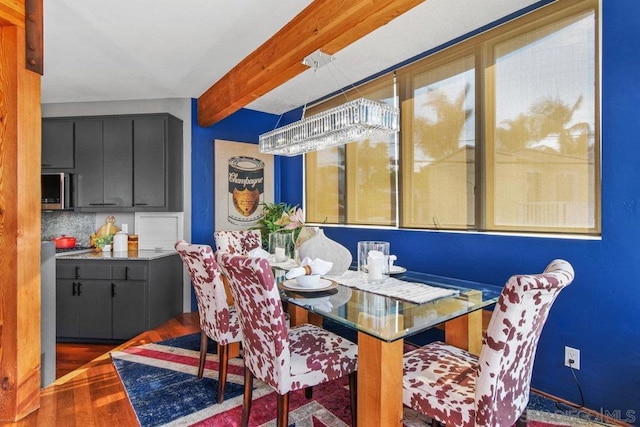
(327, 25)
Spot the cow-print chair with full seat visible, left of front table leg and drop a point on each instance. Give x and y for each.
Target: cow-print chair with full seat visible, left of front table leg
(285, 359)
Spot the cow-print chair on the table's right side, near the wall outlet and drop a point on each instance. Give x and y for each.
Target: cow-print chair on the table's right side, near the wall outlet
(456, 388)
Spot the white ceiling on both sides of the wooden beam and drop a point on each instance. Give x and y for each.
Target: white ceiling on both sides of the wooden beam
(98, 50)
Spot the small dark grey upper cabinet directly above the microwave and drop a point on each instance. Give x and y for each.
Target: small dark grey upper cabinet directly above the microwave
(57, 144)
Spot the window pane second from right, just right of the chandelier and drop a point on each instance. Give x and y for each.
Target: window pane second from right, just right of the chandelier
(438, 143)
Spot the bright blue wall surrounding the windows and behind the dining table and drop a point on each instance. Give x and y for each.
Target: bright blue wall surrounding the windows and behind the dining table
(599, 314)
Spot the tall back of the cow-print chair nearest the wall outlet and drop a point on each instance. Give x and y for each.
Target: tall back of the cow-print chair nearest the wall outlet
(509, 347)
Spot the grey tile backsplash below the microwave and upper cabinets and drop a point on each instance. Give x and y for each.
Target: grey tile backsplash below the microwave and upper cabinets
(78, 225)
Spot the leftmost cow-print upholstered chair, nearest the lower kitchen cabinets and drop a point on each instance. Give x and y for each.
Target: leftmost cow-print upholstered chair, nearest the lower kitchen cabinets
(218, 320)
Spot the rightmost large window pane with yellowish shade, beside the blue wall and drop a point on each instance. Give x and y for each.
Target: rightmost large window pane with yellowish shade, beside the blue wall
(542, 82)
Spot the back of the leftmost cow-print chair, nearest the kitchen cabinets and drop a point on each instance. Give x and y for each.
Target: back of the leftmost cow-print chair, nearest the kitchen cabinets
(210, 294)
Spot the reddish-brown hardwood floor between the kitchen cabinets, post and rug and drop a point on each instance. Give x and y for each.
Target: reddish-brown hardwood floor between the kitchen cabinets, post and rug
(93, 394)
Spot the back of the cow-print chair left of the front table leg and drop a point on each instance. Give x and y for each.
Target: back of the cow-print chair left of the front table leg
(265, 335)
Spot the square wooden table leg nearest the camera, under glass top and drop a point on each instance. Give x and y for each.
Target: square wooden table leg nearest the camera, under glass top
(379, 381)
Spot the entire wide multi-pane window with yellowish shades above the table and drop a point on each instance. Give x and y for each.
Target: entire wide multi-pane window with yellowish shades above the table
(498, 133)
